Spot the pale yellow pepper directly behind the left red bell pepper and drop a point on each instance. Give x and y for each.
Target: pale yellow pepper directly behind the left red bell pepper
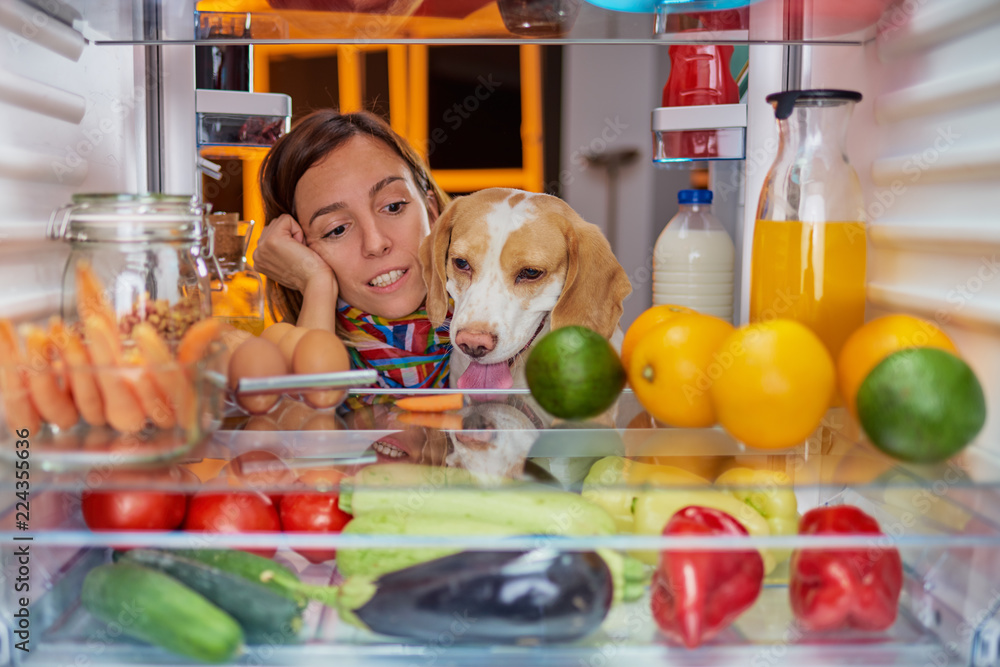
(653, 509)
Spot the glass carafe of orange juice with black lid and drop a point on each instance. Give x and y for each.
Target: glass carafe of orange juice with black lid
(809, 243)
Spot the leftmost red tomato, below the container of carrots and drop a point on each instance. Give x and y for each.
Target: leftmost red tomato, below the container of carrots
(131, 508)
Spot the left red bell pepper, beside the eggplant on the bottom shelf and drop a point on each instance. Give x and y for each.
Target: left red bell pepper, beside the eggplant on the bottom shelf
(697, 594)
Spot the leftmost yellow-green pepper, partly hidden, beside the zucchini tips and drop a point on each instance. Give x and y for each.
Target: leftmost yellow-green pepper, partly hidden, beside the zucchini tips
(614, 482)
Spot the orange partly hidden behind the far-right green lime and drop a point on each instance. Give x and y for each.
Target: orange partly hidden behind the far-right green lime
(874, 341)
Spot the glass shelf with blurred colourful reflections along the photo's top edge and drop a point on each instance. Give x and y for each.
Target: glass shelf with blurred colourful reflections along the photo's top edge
(233, 22)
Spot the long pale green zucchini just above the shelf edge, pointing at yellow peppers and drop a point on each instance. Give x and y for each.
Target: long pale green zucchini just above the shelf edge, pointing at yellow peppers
(529, 508)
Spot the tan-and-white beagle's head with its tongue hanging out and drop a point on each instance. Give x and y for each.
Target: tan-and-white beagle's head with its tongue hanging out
(517, 265)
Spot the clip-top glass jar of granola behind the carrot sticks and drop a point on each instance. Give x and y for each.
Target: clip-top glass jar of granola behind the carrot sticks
(140, 255)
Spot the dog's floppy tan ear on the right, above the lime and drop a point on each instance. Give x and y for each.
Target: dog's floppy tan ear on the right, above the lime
(596, 284)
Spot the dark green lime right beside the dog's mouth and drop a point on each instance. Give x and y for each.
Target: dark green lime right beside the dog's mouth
(574, 373)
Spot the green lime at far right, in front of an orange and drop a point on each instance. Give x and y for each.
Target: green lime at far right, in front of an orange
(921, 405)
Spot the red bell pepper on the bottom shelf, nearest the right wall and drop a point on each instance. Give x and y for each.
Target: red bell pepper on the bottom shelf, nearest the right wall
(836, 588)
